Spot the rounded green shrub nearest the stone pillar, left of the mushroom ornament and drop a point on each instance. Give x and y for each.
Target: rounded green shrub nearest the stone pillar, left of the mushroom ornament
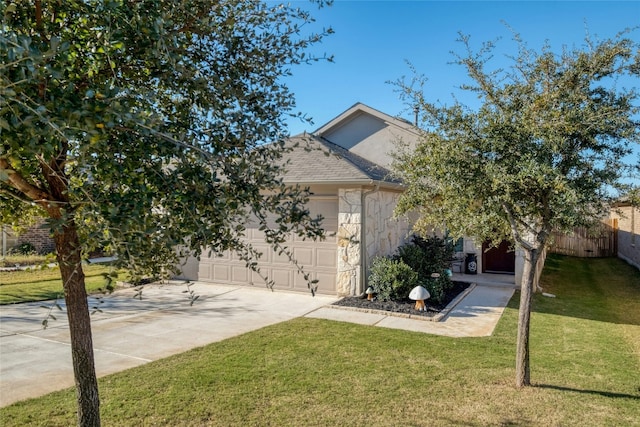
(392, 279)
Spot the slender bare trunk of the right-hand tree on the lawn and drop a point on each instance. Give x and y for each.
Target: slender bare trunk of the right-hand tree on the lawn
(523, 374)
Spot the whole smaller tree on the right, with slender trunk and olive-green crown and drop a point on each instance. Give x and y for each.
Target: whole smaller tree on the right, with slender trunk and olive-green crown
(544, 151)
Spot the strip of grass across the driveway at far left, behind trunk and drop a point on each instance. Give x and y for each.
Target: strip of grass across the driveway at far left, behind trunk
(45, 283)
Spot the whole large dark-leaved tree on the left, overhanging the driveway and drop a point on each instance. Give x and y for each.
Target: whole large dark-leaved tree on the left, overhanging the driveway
(151, 128)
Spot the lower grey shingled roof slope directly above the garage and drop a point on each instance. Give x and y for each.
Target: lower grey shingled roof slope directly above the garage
(314, 160)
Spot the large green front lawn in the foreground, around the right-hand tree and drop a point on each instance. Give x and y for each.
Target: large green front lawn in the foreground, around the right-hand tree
(308, 372)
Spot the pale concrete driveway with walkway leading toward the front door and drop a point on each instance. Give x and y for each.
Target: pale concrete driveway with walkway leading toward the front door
(130, 332)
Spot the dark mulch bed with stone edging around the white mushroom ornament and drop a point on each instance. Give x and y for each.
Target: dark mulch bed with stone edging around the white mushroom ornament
(406, 306)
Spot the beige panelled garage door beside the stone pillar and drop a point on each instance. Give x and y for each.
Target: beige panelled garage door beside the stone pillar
(318, 258)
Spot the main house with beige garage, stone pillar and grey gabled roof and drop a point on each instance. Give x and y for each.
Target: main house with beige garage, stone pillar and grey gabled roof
(346, 165)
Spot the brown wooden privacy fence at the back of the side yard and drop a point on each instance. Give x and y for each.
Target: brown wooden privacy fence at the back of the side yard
(600, 241)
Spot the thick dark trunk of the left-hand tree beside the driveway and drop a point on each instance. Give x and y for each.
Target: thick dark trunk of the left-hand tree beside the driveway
(75, 295)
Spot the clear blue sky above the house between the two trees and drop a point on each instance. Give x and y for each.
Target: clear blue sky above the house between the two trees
(374, 39)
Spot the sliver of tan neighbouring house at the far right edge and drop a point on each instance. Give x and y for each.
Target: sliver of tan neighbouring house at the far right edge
(627, 217)
